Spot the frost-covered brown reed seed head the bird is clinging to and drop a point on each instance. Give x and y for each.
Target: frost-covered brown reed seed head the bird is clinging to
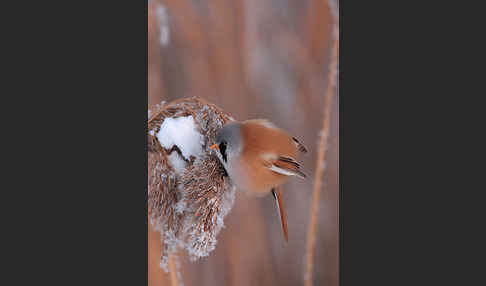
(189, 192)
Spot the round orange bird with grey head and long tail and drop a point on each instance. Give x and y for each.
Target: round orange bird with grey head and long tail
(259, 158)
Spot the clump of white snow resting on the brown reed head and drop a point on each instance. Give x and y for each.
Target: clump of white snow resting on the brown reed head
(182, 132)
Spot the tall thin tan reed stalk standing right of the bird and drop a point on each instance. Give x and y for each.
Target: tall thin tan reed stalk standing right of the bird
(321, 157)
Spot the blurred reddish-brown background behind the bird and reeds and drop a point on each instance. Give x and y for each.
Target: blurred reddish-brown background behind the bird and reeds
(255, 59)
